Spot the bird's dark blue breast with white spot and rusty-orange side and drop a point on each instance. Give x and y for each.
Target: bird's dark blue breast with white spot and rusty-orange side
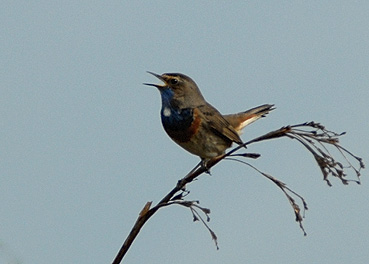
(180, 124)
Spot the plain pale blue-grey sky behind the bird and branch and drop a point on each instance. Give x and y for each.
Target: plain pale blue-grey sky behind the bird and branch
(83, 149)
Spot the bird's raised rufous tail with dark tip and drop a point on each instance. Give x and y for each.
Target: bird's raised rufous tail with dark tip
(240, 120)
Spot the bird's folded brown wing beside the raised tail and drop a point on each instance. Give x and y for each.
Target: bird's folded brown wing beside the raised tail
(219, 124)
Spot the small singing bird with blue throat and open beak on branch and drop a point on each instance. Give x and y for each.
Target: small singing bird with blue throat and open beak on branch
(194, 124)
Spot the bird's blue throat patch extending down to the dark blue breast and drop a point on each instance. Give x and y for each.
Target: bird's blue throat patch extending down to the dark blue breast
(173, 118)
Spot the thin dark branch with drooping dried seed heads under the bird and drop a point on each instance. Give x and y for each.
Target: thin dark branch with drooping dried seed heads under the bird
(313, 136)
